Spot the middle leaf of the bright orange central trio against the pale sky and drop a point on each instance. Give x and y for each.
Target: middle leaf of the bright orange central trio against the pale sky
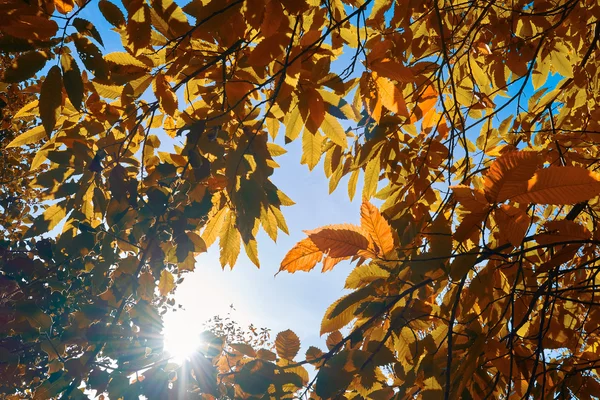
(339, 240)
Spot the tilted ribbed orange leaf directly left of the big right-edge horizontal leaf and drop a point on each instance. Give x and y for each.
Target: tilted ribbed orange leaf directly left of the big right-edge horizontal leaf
(509, 173)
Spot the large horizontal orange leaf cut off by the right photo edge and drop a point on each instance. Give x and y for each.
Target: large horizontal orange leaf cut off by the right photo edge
(560, 185)
